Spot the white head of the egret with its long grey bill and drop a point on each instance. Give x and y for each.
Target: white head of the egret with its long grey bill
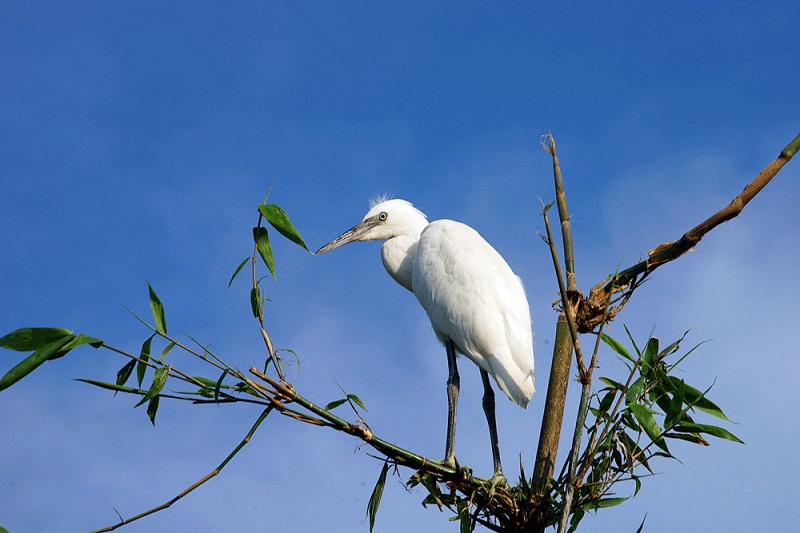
(384, 220)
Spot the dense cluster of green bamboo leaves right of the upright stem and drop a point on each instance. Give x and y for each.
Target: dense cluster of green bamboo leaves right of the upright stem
(633, 423)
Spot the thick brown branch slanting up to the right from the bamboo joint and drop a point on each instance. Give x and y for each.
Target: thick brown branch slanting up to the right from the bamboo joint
(591, 309)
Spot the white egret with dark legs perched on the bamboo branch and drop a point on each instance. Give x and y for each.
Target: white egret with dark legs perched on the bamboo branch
(475, 303)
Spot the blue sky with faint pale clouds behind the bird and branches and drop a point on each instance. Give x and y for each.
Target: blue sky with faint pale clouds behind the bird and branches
(137, 139)
